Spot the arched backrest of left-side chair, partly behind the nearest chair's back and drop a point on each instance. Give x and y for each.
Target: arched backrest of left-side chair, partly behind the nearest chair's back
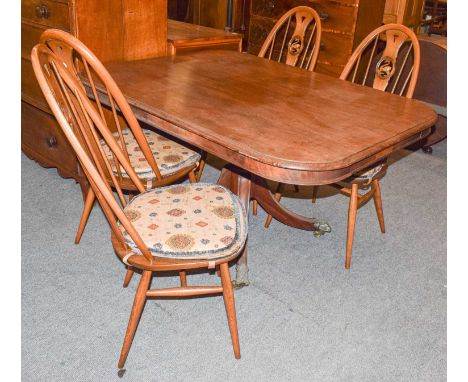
(85, 66)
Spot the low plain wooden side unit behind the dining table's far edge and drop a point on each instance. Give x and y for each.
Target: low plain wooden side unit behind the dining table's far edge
(184, 36)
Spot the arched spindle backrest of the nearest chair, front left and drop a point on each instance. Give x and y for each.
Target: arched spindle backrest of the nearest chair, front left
(83, 126)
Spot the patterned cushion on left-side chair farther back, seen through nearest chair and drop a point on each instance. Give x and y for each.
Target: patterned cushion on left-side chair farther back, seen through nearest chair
(170, 156)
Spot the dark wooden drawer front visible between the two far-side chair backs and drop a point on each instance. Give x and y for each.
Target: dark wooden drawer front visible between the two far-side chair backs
(335, 48)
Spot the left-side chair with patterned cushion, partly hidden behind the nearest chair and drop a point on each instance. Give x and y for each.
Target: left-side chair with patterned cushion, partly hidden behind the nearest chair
(158, 161)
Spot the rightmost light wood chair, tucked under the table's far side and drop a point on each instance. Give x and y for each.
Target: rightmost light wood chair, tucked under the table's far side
(387, 59)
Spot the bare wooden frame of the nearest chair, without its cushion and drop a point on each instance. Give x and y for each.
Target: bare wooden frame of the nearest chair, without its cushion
(80, 121)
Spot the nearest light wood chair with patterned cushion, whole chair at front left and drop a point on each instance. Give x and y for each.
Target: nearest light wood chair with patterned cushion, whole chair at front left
(174, 228)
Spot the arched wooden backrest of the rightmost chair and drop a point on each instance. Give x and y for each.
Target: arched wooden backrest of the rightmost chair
(387, 59)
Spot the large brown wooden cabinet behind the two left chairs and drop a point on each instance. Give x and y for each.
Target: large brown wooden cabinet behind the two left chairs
(112, 29)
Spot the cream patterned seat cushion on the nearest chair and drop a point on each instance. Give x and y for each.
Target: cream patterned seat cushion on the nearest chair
(188, 221)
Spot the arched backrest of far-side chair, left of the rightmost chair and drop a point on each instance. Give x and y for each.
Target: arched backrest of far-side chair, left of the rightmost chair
(295, 39)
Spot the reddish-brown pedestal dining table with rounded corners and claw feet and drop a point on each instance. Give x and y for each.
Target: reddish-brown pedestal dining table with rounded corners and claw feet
(270, 121)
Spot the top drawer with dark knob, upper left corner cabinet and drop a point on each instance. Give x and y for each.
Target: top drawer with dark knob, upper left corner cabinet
(45, 12)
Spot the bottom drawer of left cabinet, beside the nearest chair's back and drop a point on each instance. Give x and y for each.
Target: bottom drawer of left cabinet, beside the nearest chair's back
(42, 138)
